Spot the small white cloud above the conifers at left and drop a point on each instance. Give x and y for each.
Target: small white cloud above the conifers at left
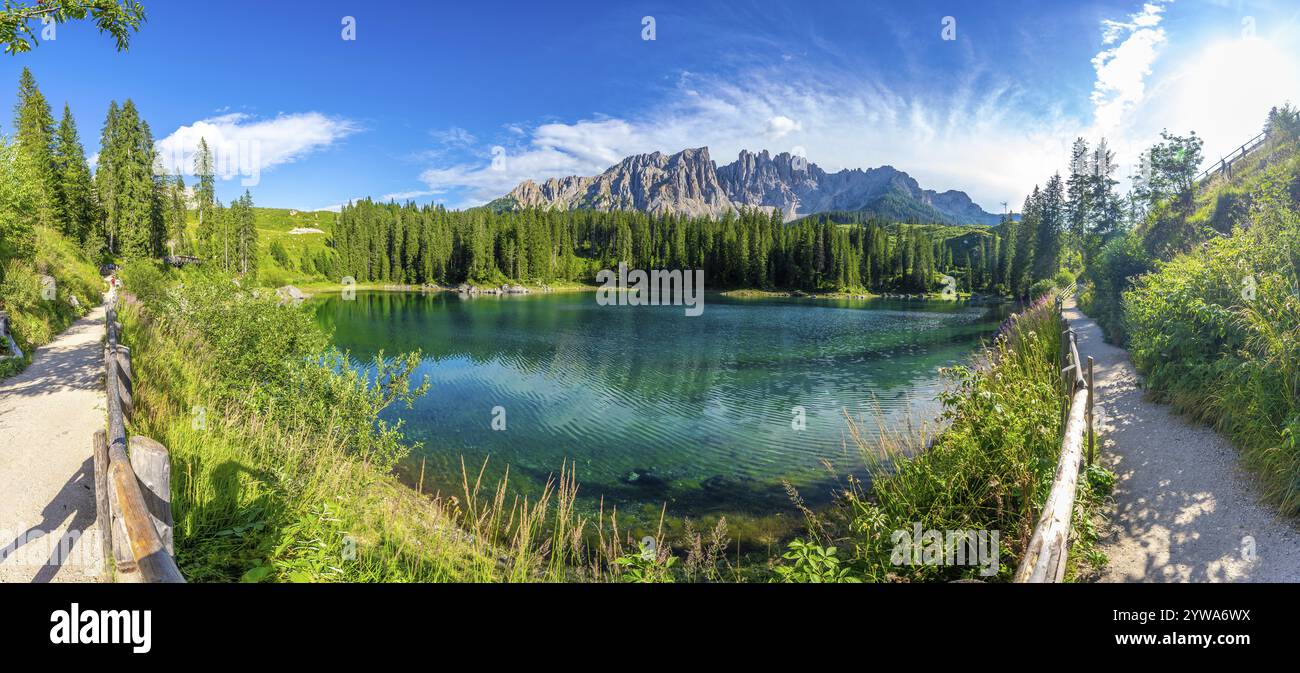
(245, 146)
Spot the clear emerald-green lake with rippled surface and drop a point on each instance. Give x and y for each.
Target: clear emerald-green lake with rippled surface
(649, 405)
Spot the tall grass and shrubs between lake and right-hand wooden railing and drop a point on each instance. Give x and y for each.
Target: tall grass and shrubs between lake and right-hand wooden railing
(990, 470)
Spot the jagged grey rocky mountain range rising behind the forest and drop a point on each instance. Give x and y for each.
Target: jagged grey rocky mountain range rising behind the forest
(691, 184)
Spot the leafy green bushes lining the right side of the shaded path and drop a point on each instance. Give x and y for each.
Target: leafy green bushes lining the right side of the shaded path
(1215, 331)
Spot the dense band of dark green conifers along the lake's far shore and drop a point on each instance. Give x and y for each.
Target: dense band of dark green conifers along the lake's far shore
(410, 245)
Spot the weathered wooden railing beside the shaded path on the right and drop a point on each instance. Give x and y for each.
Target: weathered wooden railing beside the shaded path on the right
(1046, 557)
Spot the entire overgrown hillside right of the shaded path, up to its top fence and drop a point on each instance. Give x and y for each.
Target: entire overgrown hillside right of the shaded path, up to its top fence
(1204, 296)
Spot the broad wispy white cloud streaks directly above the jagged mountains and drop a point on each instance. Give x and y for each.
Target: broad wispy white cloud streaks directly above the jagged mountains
(965, 145)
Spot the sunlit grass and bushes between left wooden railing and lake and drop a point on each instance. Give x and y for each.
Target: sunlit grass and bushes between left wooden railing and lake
(283, 470)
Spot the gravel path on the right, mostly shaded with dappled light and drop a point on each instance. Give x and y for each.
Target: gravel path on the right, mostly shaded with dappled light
(1185, 511)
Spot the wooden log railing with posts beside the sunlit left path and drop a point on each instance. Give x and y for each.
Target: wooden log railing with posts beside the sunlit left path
(133, 480)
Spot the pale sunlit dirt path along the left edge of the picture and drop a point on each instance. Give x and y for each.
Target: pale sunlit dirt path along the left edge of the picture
(47, 485)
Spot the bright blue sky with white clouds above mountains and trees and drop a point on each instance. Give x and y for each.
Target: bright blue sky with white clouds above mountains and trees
(428, 94)
